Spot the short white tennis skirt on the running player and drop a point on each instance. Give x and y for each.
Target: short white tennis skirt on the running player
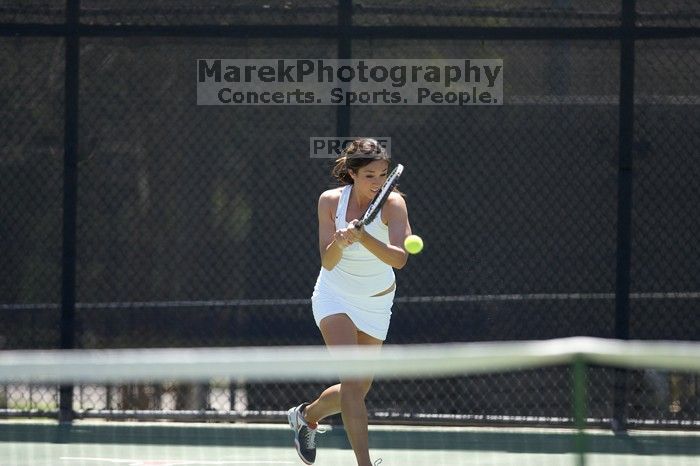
(369, 314)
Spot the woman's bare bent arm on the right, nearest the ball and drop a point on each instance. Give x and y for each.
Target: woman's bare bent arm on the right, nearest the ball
(395, 214)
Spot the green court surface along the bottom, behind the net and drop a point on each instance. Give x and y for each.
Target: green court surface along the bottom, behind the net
(37, 443)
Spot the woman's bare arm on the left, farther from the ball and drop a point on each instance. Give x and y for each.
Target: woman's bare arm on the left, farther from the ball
(331, 242)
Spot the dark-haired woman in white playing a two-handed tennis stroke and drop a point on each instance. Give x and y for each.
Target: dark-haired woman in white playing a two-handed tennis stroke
(355, 288)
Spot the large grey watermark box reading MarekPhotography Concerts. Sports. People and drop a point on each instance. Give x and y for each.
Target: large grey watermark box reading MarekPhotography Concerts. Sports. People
(350, 82)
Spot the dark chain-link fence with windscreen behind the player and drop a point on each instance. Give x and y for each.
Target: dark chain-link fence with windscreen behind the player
(196, 226)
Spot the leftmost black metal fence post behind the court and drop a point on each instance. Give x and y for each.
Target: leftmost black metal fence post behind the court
(70, 191)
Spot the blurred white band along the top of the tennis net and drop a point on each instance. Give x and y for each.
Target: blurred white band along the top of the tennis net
(317, 363)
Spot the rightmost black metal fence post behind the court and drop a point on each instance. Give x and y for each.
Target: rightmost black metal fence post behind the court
(624, 204)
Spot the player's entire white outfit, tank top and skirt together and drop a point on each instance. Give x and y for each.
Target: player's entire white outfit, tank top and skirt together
(349, 287)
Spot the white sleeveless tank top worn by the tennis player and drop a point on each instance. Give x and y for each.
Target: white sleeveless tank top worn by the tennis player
(359, 272)
